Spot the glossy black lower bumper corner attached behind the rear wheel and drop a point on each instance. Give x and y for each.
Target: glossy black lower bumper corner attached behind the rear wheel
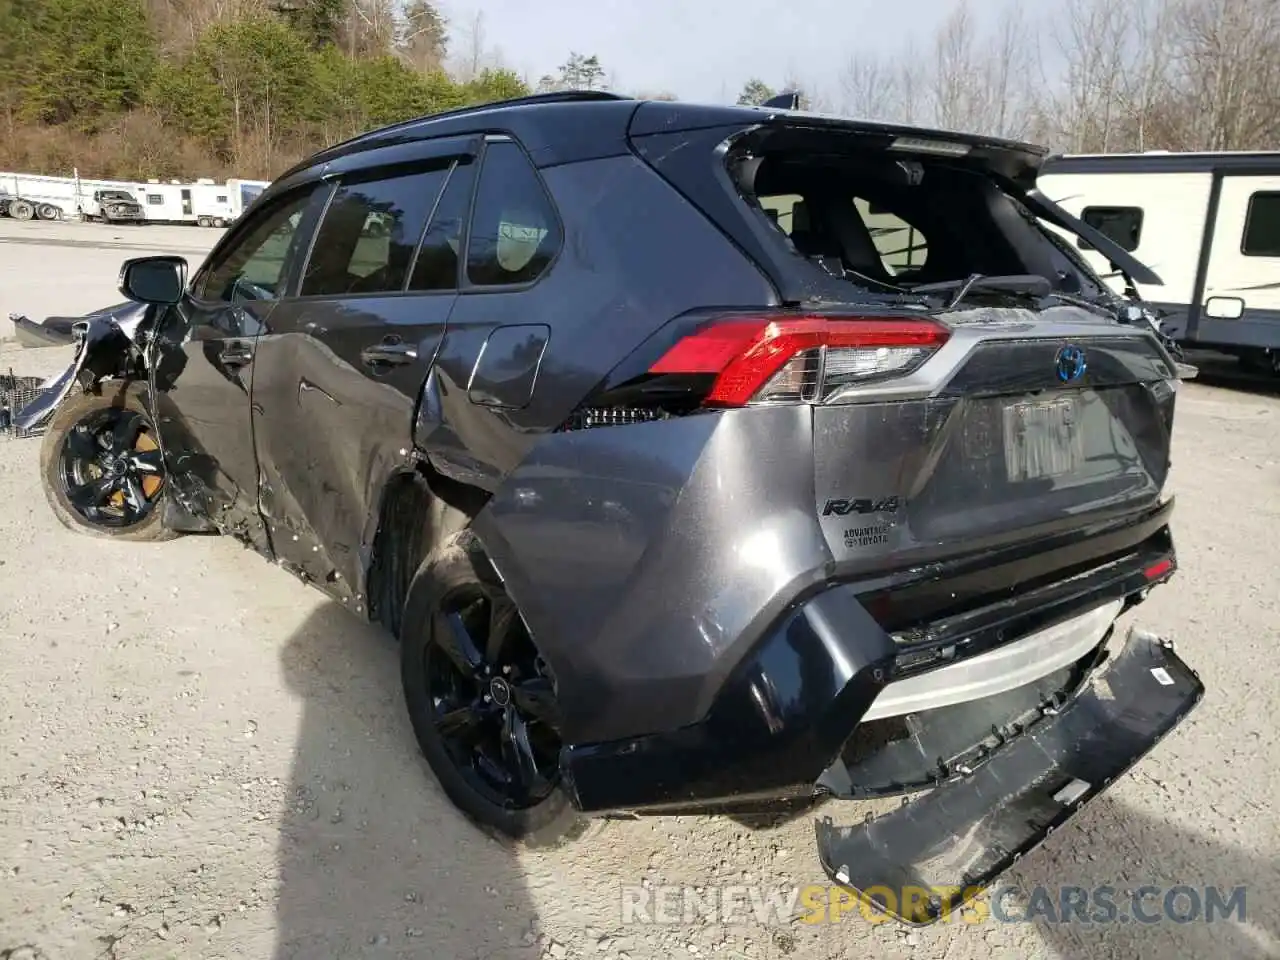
(781, 717)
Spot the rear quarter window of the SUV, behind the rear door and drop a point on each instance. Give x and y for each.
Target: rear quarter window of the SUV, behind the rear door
(514, 227)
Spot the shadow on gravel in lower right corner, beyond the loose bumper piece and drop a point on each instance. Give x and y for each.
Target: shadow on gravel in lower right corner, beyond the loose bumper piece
(1124, 851)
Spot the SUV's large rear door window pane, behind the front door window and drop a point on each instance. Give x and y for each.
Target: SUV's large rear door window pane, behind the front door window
(369, 234)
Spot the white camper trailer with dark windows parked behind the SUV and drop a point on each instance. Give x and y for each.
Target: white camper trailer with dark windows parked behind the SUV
(1209, 225)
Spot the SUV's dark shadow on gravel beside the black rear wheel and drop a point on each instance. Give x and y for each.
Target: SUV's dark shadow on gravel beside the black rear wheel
(374, 862)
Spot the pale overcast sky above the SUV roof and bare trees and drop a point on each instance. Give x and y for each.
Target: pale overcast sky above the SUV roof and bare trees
(698, 49)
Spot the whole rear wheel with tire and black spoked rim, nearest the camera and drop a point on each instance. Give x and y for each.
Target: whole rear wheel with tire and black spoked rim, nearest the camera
(482, 700)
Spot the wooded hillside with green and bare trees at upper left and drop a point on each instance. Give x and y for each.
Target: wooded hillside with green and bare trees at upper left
(132, 89)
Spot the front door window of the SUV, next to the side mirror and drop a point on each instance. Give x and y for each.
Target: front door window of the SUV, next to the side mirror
(252, 268)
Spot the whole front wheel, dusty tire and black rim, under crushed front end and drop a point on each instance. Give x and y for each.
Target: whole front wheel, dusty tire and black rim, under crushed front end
(103, 469)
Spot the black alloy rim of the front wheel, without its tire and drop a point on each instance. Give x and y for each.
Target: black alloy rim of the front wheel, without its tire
(111, 468)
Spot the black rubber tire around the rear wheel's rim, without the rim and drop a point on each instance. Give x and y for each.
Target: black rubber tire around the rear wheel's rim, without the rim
(460, 568)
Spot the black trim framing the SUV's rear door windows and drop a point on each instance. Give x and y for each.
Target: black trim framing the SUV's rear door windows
(452, 149)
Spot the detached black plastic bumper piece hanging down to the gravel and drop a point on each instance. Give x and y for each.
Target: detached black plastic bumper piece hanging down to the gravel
(931, 857)
